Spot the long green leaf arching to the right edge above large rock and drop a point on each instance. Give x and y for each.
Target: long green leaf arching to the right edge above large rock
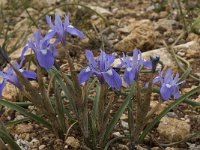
(165, 111)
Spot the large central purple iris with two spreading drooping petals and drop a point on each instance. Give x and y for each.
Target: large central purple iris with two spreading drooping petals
(102, 68)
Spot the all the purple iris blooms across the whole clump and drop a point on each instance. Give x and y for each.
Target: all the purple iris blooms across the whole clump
(45, 52)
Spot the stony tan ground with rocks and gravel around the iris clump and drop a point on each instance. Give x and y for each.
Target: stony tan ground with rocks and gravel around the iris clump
(115, 26)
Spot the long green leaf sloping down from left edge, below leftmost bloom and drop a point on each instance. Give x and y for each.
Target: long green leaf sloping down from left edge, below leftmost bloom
(25, 113)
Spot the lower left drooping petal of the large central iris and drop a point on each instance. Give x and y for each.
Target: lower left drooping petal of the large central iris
(84, 75)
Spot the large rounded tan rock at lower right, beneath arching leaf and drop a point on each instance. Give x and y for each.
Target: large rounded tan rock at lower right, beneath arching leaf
(173, 129)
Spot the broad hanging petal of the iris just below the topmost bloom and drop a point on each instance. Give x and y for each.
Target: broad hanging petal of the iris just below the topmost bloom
(45, 60)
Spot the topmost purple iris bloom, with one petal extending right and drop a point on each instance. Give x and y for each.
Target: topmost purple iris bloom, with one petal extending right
(61, 29)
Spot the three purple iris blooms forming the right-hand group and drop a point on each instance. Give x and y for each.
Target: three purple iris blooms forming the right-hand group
(102, 68)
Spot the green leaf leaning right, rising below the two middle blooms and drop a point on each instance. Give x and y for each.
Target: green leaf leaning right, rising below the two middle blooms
(118, 114)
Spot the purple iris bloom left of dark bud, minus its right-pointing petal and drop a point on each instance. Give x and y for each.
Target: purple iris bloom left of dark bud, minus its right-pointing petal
(132, 66)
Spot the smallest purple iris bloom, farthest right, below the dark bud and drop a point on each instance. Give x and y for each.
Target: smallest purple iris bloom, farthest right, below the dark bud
(169, 84)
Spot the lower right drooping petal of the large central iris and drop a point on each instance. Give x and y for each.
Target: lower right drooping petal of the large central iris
(112, 78)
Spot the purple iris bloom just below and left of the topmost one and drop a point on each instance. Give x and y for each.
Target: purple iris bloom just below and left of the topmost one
(43, 49)
